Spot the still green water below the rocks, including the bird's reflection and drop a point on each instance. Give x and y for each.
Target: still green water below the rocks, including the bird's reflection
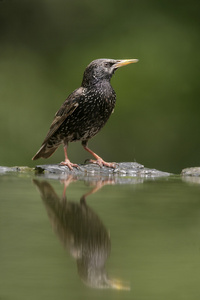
(99, 240)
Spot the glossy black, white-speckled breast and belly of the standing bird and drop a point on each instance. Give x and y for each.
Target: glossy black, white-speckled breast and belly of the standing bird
(93, 111)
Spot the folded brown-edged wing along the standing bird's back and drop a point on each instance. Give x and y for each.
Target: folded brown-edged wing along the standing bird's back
(68, 107)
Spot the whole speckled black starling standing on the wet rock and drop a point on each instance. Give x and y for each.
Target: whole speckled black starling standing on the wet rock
(84, 112)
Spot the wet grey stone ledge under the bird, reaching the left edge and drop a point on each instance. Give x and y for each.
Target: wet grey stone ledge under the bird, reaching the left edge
(124, 173)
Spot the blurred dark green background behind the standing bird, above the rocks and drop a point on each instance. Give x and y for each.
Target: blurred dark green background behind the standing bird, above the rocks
(45, 47)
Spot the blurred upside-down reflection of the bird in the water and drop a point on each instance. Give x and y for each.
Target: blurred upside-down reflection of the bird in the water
(81, 232)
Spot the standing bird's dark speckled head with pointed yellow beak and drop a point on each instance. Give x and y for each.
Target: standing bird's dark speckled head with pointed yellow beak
(103, 69)
